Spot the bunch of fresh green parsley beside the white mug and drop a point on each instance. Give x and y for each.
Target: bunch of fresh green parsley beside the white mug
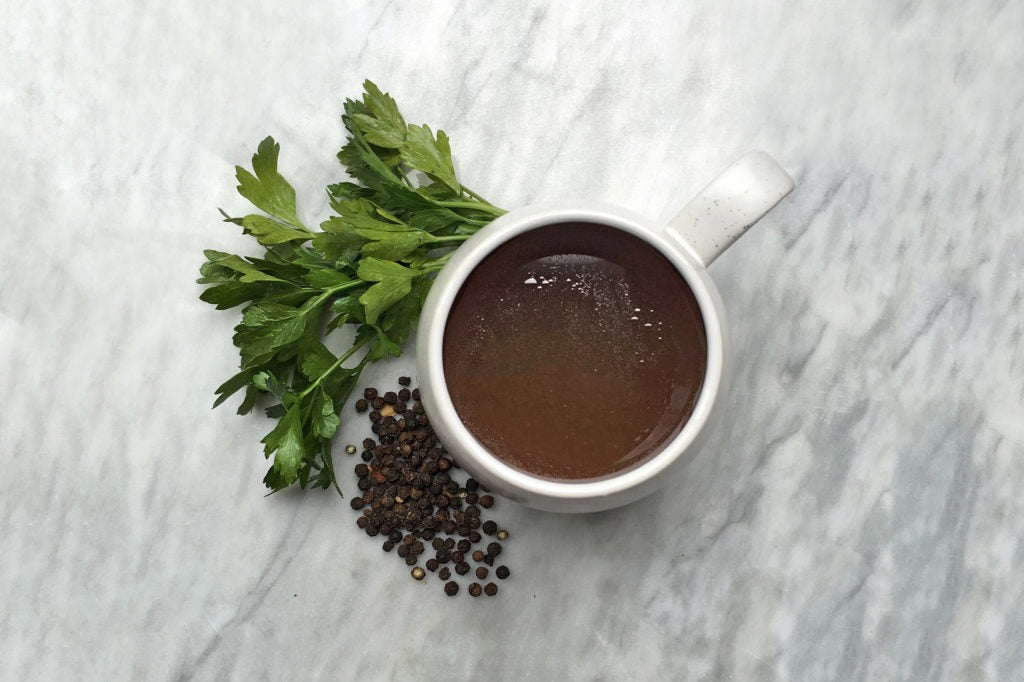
(370, 266)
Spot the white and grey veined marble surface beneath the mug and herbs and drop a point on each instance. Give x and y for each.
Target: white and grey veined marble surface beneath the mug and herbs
(859, 518)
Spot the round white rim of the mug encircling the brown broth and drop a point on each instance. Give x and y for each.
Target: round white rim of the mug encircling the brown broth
(448, 286)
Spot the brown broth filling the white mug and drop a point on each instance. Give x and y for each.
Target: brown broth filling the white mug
(575, 351)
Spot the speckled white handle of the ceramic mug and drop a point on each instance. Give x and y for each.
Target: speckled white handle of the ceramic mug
(726, 209)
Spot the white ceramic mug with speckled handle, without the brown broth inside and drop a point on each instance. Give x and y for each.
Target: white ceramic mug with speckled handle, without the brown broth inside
(706, 227)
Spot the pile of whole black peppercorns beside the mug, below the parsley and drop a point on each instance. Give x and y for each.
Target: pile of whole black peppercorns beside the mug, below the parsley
(408, 495)
